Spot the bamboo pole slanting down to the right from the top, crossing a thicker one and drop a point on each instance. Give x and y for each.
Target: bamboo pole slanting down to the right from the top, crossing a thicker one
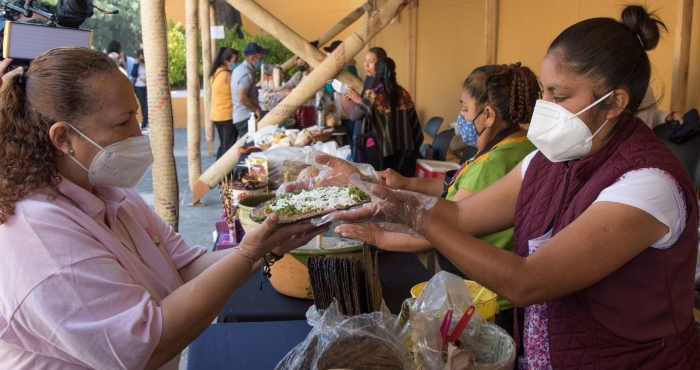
(291, 40)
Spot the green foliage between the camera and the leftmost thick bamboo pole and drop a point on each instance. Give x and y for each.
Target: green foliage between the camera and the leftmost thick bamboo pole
(124, 27)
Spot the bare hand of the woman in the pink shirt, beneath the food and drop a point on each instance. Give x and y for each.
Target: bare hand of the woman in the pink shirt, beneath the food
(282, 239)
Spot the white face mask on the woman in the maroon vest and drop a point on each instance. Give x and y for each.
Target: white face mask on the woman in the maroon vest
(559, 134)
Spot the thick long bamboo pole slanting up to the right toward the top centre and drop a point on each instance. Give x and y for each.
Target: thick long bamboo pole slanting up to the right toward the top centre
(314, 81)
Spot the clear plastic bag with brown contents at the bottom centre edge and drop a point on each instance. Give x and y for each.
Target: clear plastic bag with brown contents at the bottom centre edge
(358, 342)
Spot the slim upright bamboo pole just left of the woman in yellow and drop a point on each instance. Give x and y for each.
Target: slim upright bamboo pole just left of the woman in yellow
(204, 14)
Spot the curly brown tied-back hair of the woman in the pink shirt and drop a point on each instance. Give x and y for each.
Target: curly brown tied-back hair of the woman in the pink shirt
(56, 87)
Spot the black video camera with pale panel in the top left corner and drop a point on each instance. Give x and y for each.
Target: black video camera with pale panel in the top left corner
(28, 28)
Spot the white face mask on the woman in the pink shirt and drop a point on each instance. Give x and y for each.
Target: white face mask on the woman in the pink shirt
(121, 164)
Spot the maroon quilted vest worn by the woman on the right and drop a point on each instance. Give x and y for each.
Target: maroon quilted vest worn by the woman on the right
(639, 317)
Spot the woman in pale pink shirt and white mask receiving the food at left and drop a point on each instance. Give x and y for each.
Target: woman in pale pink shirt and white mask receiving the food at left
(91, 277)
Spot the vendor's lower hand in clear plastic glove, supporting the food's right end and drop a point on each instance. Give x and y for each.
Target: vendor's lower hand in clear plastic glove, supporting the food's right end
(400, 210)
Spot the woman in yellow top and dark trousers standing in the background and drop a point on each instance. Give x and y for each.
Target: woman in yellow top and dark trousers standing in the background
(221, 113)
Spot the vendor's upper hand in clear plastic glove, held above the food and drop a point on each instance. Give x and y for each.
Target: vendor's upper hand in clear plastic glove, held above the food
(334, 172)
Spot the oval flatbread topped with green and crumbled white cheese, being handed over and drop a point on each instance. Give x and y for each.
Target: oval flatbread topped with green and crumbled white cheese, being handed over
(309, 203)
